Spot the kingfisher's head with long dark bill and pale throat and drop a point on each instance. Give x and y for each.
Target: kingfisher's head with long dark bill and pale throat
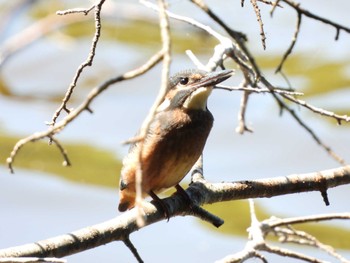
(190, 89)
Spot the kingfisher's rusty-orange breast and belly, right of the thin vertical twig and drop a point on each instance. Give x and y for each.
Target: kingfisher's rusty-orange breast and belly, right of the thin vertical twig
(173, 148)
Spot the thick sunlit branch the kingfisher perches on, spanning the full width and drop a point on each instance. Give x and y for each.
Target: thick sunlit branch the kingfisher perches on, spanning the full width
(200, 191)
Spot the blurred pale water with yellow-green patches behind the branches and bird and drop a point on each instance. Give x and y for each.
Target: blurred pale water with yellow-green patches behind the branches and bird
(44, 199)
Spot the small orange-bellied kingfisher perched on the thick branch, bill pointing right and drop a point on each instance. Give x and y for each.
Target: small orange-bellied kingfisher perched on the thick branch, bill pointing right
(175, 138)
